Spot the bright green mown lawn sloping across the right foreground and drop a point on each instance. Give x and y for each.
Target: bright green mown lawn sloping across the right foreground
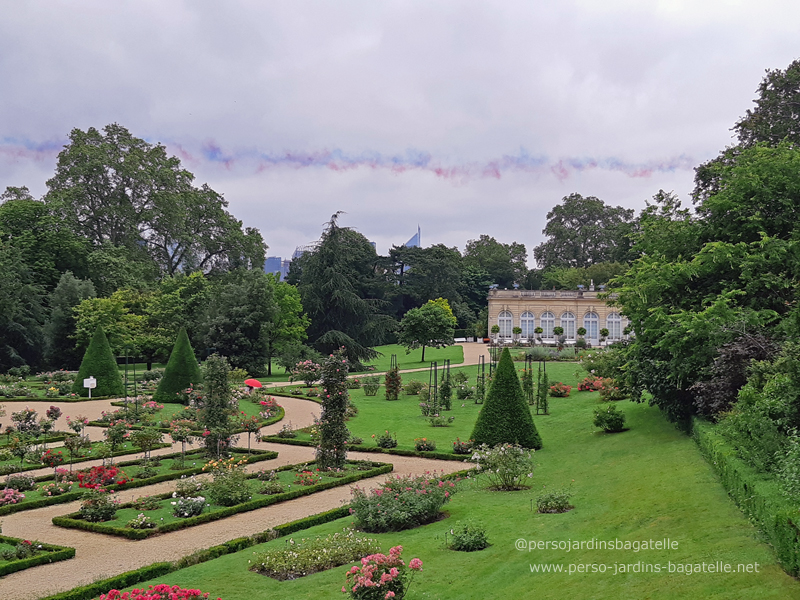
(646, 483)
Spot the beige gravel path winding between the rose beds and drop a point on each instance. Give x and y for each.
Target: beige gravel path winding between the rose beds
(99, 556)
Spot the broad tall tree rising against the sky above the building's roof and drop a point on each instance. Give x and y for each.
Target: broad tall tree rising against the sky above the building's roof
(583, 231)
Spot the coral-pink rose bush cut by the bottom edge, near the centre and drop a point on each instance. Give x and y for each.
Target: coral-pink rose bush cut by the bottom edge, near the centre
(381, 577)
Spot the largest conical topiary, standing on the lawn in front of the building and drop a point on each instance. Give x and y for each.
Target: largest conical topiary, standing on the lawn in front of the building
(505, 417)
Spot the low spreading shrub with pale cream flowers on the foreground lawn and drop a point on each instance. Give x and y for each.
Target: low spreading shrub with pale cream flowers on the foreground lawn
(306, 556)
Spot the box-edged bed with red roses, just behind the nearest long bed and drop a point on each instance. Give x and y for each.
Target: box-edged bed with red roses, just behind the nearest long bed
(195, 461)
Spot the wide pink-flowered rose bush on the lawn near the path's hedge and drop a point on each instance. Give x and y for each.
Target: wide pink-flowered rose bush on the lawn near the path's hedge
(401, 502)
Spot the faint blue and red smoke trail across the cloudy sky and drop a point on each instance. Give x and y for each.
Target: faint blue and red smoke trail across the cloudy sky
(412, 160)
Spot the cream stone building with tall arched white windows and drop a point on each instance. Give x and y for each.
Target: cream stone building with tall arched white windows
(548, 309)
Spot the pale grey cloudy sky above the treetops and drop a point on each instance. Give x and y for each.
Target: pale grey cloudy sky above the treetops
(460, 117)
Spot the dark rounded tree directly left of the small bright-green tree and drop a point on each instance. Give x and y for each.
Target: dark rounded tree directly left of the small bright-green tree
(241, 308)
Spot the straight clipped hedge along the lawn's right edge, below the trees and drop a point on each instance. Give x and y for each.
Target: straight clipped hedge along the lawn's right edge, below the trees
(758, 495)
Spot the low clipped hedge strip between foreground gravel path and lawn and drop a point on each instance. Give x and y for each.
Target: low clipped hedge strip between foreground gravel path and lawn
(132, 578)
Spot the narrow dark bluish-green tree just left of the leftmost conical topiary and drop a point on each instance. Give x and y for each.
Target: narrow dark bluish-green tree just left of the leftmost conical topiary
(60, 328)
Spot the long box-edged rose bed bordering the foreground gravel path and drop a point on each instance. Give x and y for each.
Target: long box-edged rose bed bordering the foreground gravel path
(166, 520)
